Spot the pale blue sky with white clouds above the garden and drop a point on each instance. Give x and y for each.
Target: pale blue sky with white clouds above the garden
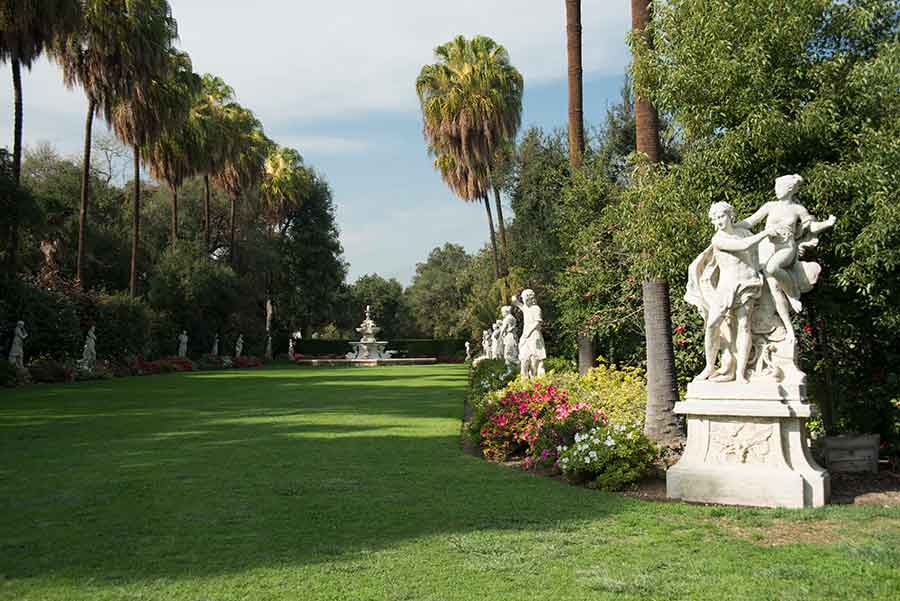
(339, 87)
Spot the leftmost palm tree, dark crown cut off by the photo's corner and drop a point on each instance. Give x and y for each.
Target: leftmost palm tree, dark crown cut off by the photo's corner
(26, 28)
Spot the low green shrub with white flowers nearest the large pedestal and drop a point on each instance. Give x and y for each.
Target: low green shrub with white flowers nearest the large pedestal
(613, 455)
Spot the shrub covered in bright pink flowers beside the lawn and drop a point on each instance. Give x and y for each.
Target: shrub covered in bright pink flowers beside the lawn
(533, 418)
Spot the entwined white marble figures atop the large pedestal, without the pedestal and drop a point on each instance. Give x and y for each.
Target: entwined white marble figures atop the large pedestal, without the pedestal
(746, 286)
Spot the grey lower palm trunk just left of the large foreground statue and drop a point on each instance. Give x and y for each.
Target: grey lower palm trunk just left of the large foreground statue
(661, 424)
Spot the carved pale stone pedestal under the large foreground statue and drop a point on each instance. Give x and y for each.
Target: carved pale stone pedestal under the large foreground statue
(747, 452)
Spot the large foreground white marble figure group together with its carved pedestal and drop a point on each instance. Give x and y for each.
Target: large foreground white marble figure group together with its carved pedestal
(747, 409)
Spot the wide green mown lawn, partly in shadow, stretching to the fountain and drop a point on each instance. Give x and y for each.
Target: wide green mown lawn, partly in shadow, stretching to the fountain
(349, 484)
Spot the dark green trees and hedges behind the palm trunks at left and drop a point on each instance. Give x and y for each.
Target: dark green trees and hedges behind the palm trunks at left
(186, 286)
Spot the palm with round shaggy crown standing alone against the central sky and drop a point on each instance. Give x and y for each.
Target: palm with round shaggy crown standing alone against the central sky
(471, 101)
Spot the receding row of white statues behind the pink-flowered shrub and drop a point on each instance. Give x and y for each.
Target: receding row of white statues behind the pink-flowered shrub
(501, 342)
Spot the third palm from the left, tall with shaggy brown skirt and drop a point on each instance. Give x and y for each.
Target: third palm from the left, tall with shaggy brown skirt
(137, 114)
